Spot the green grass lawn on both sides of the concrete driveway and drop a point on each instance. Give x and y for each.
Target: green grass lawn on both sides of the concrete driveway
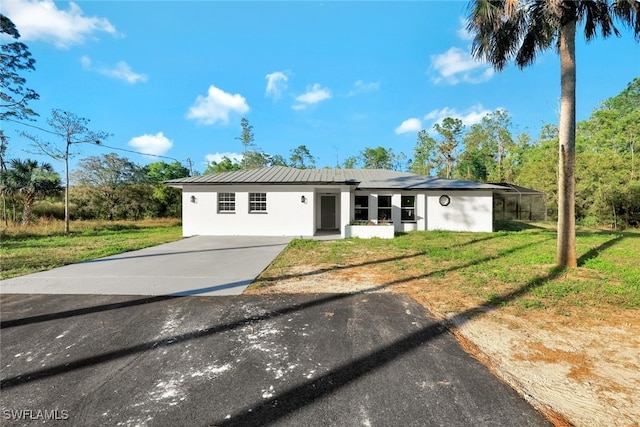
(514, 267)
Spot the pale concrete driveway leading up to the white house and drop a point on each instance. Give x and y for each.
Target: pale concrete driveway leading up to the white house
(193, 266)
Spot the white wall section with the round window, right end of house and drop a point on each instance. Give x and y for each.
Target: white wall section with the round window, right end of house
(468, 211)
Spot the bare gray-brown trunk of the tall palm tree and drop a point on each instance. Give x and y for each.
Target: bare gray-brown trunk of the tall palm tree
(566, 253)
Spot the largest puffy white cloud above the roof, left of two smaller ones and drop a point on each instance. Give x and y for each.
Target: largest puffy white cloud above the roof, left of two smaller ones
(216, 106)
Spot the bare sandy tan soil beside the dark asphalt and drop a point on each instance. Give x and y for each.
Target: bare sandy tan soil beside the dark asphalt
(581, 369)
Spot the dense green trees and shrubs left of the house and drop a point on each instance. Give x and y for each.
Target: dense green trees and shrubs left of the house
(105, 187)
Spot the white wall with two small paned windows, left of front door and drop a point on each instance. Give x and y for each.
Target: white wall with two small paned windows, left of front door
(286, 214)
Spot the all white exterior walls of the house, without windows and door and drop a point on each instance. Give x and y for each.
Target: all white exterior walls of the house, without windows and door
(287, 215)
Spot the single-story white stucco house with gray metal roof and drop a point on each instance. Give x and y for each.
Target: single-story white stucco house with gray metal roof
(283, 201)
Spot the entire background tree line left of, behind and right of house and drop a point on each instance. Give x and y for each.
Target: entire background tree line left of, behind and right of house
(112, 187)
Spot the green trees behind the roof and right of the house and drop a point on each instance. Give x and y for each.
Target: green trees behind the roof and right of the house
(607, 174)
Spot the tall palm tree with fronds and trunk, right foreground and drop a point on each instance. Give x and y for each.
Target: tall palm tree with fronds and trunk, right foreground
(519, 30)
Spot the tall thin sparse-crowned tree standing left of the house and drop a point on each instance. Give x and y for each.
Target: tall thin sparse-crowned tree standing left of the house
(74, 131)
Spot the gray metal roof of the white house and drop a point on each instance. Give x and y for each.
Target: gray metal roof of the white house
(361, 178)
